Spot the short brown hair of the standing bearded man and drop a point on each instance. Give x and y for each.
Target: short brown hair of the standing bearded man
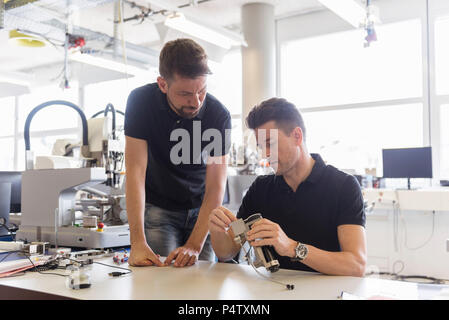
(184, 57)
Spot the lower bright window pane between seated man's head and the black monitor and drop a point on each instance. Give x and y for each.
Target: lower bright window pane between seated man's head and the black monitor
(354, 138)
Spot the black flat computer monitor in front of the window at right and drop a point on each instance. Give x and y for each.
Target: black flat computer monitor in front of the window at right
(407, 163)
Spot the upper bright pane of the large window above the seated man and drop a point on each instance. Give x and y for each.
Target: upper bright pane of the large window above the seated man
(336, 69)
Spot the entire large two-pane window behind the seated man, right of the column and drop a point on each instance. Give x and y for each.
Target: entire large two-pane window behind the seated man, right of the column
(356, 101)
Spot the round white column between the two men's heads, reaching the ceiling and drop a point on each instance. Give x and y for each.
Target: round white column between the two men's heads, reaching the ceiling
(259, 57)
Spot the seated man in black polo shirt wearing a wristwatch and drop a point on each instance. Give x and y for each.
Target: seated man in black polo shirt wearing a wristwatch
(313, 213)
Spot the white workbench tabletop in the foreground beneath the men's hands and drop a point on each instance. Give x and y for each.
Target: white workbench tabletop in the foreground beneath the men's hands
(211, 281)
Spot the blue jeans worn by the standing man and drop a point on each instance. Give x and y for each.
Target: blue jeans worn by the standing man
(167, 230)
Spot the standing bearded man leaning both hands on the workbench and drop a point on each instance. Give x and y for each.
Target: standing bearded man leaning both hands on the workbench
(176, 143)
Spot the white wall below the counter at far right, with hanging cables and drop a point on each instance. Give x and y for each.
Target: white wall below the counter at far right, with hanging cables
(430, 260)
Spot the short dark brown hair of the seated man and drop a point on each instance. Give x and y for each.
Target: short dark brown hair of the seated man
(284, 113)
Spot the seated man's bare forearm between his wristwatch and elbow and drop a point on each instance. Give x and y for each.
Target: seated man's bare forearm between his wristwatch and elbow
(335, 263)
